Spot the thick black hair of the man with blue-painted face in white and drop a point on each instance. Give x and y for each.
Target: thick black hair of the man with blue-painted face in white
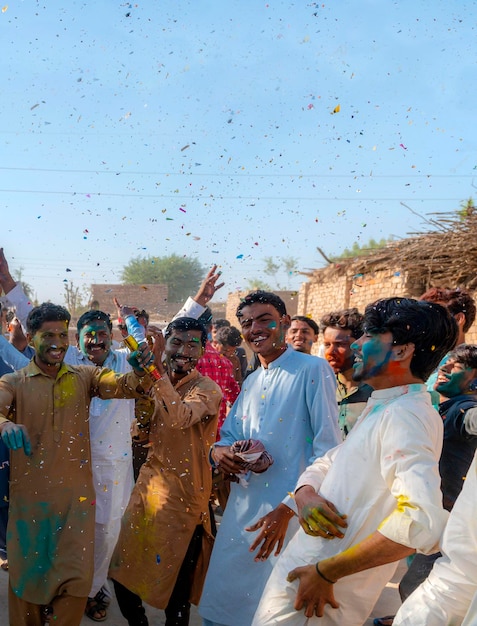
(429, 326)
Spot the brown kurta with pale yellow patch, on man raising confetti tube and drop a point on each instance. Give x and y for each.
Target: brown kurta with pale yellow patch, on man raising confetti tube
(172, 492)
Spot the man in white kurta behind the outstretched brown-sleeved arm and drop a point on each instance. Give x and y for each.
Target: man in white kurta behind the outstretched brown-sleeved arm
(110, 427)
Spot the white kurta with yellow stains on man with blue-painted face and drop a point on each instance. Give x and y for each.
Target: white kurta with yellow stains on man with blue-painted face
(385, 477)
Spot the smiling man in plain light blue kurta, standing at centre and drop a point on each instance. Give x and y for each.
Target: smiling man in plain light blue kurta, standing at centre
(288, 404)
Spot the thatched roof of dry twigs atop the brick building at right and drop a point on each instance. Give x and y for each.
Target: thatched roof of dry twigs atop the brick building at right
(444, 256)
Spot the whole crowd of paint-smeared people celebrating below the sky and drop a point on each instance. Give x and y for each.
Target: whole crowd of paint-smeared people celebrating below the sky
(118, 457)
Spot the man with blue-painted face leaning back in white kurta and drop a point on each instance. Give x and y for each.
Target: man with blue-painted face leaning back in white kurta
(375, 498)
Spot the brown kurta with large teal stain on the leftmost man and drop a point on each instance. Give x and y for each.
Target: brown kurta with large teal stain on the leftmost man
(52, 501)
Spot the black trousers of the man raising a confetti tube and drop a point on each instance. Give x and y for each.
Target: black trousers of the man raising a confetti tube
(178, 609)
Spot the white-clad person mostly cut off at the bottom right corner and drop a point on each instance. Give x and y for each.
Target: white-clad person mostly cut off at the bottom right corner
(448, 597)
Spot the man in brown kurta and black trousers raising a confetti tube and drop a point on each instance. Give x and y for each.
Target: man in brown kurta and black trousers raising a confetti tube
(165, 532)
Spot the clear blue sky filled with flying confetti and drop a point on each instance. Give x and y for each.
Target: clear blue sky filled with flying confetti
(207, 129)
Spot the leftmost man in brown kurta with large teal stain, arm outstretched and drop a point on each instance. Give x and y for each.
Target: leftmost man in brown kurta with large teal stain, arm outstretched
(44, 409)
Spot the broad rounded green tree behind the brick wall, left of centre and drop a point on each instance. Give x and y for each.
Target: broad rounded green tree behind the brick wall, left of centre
(181, 275)
